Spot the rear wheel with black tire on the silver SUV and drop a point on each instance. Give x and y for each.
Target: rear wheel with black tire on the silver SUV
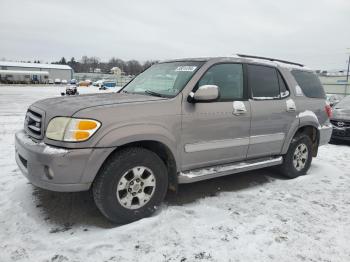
(295, 163)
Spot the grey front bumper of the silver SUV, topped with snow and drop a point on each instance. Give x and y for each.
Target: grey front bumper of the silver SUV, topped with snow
(56, 169)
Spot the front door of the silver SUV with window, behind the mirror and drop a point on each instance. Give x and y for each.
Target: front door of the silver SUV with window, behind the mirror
(217, 132)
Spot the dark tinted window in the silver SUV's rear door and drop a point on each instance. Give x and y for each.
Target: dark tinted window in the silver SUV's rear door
(263, 81)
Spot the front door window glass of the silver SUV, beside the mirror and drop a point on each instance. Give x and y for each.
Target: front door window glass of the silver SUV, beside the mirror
(228, 77)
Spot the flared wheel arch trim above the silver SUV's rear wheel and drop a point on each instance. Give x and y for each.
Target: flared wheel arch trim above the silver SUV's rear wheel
(306, 118)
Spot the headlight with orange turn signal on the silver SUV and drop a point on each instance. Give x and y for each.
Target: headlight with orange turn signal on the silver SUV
(71, 129)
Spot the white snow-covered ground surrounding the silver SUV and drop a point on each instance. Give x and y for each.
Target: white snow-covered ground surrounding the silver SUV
(255, 216)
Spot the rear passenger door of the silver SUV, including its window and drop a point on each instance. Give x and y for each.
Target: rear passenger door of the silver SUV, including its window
(272, 110)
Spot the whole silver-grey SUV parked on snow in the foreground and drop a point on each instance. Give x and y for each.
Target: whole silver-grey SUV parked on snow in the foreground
(180, 121)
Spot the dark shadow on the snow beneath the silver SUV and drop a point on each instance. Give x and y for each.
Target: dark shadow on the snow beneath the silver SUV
(63, 211)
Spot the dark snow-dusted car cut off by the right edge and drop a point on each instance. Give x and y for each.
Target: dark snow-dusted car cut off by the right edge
(341, 120)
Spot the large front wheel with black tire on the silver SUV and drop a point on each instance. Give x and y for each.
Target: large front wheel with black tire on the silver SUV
(119, 178)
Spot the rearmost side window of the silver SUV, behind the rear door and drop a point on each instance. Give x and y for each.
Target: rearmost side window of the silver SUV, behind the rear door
(309, 83)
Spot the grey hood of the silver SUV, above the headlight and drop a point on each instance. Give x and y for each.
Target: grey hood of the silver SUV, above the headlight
(69, 105)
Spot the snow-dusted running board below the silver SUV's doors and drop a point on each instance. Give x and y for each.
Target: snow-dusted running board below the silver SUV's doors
(223, 170)
